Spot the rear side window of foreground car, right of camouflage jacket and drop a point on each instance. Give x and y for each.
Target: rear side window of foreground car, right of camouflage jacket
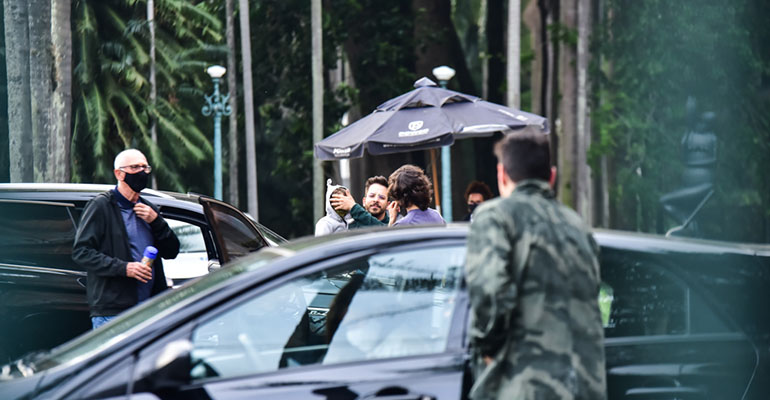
(642, 298)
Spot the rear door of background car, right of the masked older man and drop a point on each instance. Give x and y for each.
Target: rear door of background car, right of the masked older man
(235, 233)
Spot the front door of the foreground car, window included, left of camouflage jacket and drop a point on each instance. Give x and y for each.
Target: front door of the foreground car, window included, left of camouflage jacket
(379, 324)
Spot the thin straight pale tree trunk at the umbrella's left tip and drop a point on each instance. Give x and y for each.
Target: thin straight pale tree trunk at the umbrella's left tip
(317, 76)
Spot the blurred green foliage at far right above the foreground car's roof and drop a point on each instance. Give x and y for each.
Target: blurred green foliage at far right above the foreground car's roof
(649, 57)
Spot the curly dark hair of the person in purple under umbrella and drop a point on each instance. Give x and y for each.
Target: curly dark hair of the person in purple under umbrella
(409, 186)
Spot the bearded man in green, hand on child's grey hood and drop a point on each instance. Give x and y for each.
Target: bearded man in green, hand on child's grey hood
(374, 210)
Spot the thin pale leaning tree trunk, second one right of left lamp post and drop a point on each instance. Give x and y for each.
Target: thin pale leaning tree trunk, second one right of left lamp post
(248, 109)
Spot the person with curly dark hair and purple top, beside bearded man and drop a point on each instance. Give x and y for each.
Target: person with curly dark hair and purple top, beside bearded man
(411, 191)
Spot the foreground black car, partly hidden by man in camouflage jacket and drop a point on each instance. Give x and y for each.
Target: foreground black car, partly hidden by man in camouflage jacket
(383, 315)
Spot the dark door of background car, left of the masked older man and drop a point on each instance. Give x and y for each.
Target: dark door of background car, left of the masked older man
(42, 291)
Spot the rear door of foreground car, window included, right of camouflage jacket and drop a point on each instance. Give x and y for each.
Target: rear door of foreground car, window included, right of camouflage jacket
(664, 338)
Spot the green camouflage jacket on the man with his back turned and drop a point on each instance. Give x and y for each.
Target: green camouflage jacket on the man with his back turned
(533, 278)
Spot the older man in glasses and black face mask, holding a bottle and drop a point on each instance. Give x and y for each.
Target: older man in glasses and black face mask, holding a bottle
(114, 231)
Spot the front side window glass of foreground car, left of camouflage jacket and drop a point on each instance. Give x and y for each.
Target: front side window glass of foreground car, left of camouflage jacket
(387, 305)
